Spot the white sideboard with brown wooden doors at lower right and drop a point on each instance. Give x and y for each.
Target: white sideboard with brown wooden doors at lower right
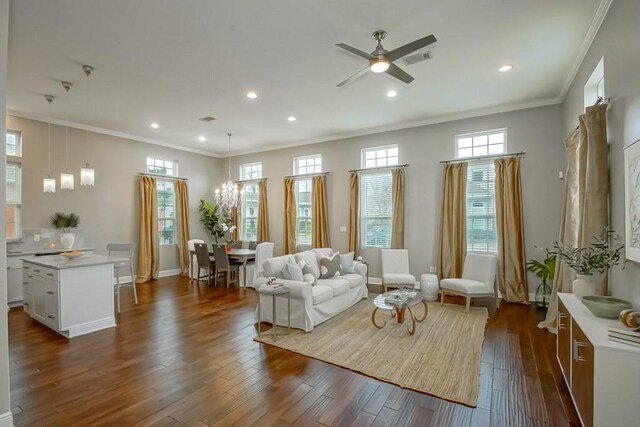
(603, 376)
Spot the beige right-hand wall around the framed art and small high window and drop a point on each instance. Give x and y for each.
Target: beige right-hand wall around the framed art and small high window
(617, 42)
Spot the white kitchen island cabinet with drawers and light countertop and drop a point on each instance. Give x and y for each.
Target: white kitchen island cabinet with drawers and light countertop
(71, 296)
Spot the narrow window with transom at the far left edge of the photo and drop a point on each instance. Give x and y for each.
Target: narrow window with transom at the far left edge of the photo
(13, 206)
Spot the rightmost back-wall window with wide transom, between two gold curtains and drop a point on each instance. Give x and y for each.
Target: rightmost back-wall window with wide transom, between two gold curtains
(481, 210)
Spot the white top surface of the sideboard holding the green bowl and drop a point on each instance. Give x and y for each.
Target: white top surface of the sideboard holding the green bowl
(595, 328)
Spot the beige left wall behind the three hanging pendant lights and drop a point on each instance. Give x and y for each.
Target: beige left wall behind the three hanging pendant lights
(109, 212)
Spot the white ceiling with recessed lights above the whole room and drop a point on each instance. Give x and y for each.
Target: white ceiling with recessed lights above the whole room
(175, 61)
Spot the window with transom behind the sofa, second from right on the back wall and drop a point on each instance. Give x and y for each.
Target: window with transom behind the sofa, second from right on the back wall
(376, 205)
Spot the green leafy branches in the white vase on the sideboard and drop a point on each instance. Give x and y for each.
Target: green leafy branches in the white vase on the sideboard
(605, 252)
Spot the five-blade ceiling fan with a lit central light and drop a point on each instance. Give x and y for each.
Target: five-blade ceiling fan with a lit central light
(381, 60)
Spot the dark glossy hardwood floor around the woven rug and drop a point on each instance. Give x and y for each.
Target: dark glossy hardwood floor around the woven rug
(186, 356)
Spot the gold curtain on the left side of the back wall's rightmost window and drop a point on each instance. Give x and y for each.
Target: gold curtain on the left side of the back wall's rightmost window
(452, 243)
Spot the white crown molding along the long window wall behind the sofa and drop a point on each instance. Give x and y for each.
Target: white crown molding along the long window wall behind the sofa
(431, 121)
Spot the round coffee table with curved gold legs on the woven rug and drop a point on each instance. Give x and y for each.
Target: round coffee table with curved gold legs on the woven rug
(398, 309)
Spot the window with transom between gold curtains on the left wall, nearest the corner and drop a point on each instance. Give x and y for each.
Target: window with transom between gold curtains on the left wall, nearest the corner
(166, 198)
